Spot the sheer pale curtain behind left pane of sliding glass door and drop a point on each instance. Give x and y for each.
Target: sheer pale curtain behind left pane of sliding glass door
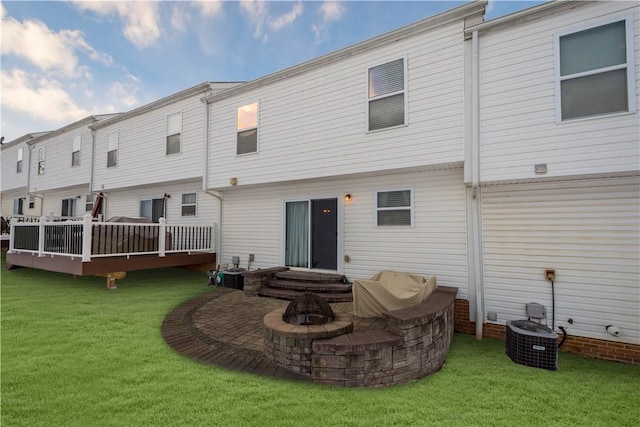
(297, 234)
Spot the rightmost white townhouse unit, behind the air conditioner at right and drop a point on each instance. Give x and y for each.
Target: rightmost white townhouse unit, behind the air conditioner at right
(558, 163)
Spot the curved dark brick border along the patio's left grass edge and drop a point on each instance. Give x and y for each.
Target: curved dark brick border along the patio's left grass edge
(180, 333)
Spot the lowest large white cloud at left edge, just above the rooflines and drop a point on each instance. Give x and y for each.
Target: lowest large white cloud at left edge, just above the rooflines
(38, 96)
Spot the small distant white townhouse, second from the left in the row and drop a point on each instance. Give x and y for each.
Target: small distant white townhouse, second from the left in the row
(59, 171)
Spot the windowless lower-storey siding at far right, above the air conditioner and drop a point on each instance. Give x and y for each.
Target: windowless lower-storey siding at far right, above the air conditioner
(588, 231)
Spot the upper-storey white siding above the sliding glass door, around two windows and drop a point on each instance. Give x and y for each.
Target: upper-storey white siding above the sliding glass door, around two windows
(315, 124)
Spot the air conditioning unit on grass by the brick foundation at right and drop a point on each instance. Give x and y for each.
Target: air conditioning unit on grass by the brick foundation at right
(532, 344)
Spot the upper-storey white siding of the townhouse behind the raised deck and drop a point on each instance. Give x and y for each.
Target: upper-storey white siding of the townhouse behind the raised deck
(142, 158)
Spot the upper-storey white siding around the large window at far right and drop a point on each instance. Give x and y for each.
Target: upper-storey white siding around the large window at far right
(518, 127)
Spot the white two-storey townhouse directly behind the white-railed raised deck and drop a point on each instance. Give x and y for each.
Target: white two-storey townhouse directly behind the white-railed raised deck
(148, 161)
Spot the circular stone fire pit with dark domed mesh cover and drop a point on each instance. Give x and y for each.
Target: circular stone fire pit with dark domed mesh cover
(290, 345)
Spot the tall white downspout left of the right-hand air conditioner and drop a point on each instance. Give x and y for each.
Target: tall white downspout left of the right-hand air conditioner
(476, 191)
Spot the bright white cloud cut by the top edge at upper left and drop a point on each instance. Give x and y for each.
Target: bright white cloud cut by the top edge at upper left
(140, 18)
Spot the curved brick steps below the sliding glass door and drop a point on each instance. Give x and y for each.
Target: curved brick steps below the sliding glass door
(290, 284)
